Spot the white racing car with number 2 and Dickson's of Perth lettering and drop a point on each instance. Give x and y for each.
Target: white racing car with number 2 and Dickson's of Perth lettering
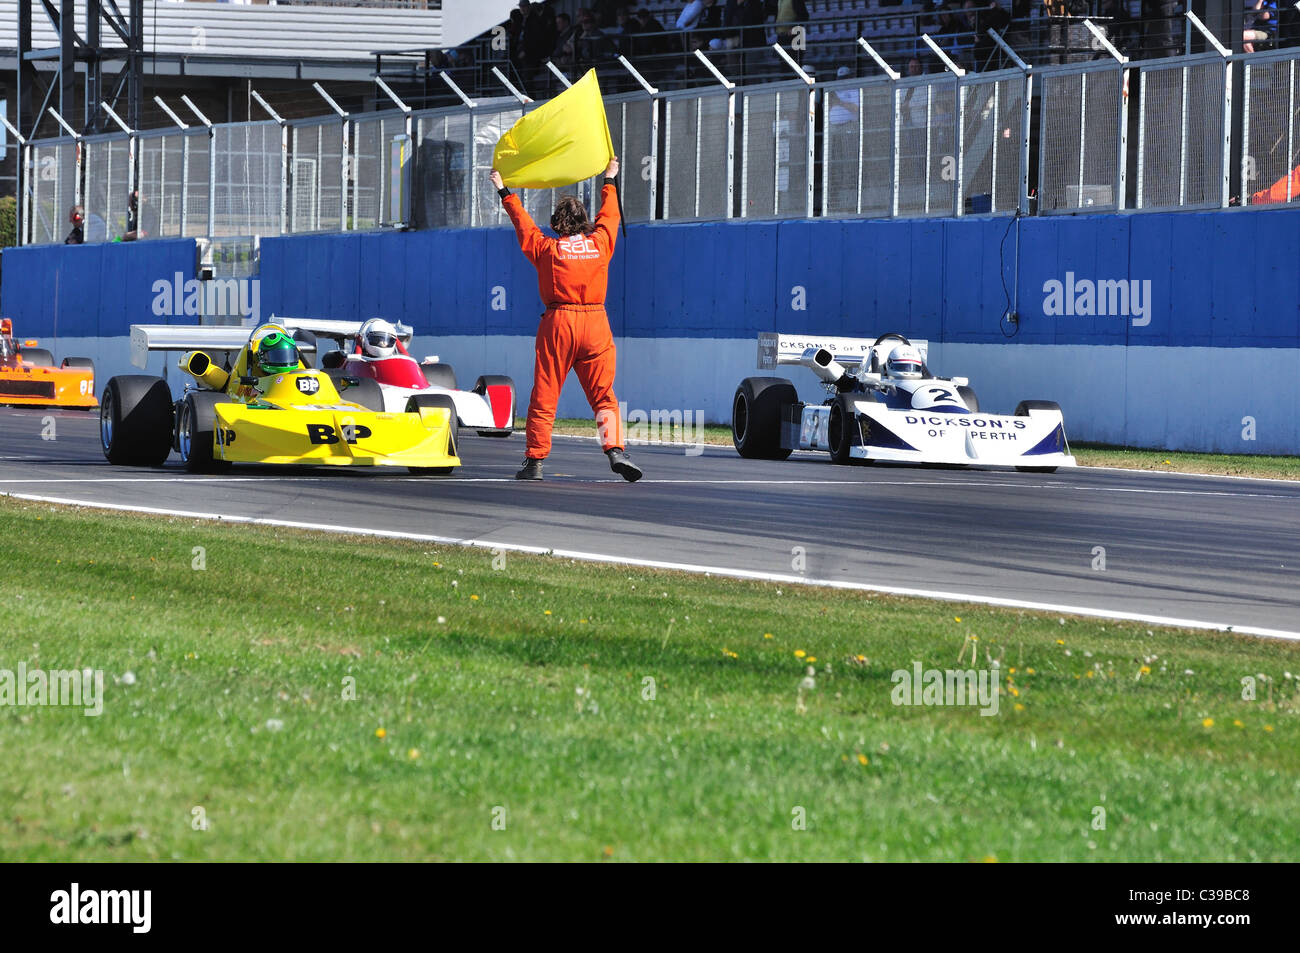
(885, 405)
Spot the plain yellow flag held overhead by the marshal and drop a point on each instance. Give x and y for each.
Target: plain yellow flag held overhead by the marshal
(560, 144)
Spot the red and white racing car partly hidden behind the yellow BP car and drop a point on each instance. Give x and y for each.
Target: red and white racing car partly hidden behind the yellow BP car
(378, 350)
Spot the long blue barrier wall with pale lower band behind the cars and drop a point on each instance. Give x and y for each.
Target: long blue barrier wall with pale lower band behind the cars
(687, 302)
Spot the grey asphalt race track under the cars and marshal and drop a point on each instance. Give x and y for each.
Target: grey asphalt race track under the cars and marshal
(1206, 551)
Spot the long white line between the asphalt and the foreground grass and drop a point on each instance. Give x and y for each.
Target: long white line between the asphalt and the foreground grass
(683, 568)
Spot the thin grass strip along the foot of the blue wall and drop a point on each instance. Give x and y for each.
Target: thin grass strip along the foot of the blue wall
(1087, 454)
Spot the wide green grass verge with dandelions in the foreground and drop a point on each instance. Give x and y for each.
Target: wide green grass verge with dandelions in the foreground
(320, 698)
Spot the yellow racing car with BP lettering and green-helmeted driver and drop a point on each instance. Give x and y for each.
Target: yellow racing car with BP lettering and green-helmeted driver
(265, 406)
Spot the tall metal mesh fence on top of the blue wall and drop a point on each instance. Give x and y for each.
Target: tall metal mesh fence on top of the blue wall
(939, 145)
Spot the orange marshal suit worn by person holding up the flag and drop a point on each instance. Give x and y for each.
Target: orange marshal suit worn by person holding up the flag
(573, 275)
